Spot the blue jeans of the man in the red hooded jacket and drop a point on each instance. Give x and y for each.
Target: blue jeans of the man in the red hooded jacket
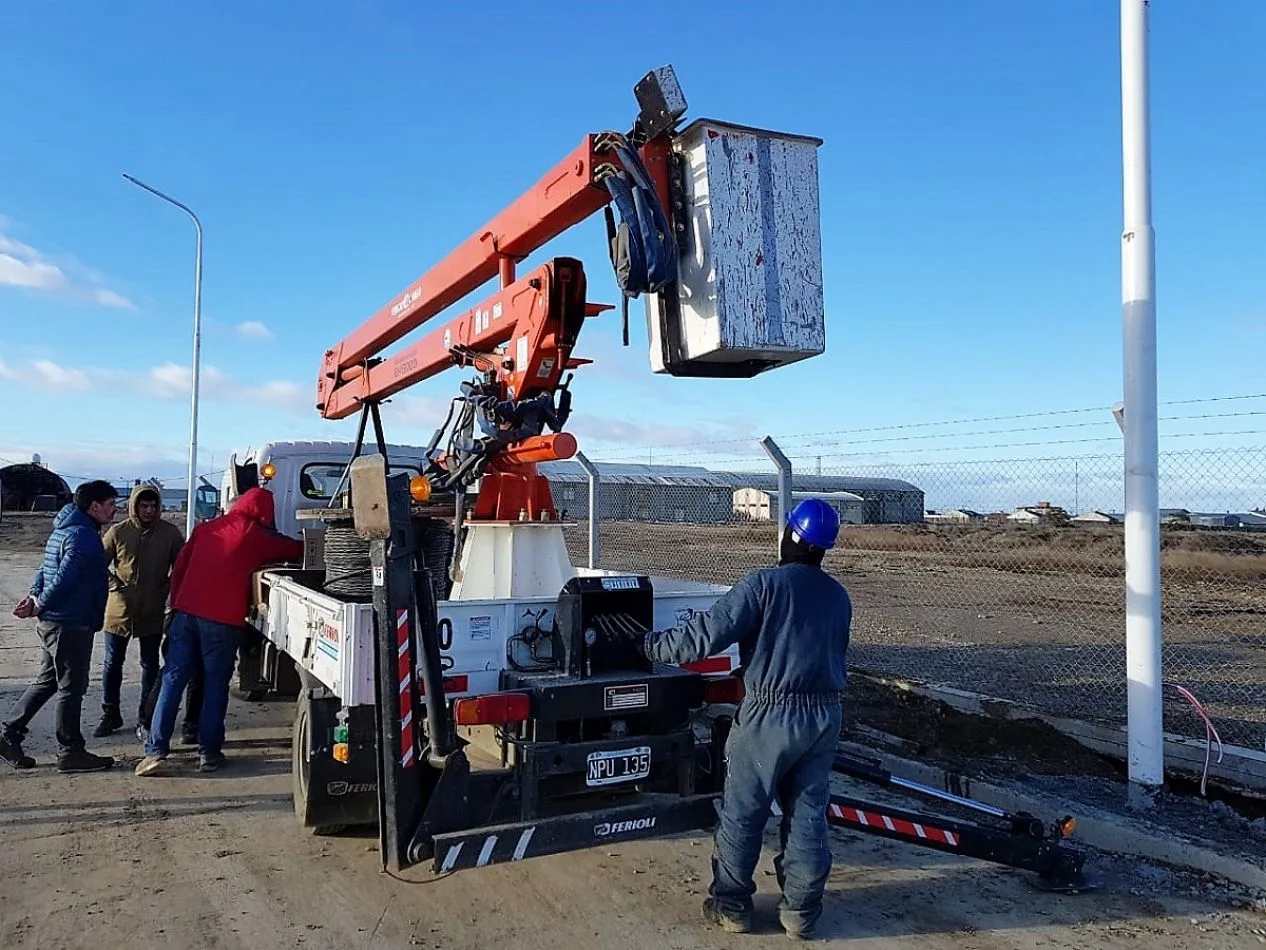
(216, 644)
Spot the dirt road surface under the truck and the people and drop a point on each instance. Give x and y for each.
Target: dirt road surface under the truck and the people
(110, 861)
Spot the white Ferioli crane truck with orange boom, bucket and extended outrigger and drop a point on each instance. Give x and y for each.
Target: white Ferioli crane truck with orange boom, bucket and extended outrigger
(460, 683)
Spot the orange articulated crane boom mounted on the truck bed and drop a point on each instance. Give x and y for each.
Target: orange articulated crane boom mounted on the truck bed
(522, 338)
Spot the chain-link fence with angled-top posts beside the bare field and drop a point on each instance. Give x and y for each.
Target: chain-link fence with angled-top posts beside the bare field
(1000, 577)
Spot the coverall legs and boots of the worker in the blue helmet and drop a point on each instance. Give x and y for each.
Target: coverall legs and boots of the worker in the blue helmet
(778, 752)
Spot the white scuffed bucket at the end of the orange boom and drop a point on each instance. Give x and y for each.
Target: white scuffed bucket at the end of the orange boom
(750, 286)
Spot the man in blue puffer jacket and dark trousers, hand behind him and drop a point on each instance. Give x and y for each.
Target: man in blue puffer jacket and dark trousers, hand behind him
(68, 598)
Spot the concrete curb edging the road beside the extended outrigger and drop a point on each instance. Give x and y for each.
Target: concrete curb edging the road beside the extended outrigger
(1097, 829)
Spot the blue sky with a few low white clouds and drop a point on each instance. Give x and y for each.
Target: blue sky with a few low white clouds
(970, 197)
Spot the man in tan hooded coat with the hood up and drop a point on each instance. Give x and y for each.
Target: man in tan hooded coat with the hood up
(141, 553)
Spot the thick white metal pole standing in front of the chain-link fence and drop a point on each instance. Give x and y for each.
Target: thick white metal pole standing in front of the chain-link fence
(1143, 497)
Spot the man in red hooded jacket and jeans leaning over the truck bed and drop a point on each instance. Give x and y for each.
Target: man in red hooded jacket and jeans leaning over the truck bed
(211, 595)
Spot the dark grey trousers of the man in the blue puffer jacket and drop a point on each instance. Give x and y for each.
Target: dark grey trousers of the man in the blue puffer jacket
(68, 655)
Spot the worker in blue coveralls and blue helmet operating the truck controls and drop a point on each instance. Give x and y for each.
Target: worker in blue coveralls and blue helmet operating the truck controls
(792, 626)
